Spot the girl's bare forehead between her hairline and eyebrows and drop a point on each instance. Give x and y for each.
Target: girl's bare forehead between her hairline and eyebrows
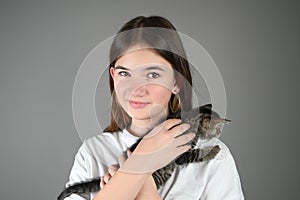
(135, 58)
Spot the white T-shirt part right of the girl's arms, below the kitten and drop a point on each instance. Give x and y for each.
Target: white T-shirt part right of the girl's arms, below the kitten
(205, 177)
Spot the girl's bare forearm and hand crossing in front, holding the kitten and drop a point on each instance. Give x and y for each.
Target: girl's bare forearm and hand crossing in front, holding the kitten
(126, 183)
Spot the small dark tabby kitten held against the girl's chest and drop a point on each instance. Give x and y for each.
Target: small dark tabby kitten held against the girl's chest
(204, 122)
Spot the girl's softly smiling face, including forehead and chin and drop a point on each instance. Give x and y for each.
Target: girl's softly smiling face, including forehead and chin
(143, 82)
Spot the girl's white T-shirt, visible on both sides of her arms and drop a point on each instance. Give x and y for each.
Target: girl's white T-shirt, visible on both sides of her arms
(212, 180)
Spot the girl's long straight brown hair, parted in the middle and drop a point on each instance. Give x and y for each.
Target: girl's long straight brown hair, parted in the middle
(161, 36)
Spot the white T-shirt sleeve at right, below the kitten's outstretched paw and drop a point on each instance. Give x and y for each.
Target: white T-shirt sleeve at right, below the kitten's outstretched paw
(223, 180)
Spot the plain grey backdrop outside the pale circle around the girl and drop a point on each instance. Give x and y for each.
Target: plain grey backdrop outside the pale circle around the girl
(255, 44)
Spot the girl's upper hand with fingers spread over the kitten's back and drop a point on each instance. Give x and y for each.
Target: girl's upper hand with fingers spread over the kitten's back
(158, 148)
